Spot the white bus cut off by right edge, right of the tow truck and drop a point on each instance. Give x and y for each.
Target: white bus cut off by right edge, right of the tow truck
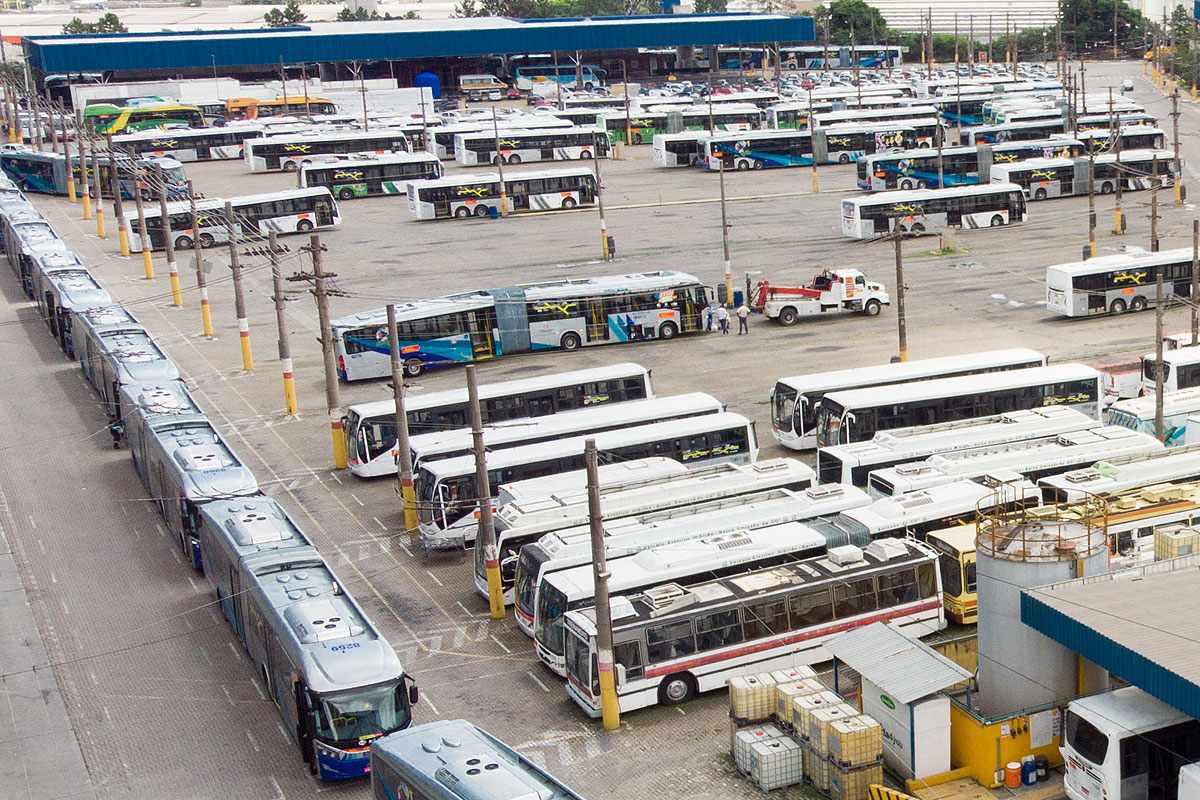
(1118, 284)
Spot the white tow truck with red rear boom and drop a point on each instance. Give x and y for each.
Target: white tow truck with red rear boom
(832, 292)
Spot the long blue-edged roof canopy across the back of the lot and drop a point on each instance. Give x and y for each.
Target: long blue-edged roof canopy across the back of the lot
(379, 41)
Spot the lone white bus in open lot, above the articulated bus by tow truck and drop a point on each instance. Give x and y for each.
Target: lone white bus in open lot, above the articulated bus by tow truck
(463, 197)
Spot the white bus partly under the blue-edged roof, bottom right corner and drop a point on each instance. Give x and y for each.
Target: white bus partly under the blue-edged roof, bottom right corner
(1126, 745)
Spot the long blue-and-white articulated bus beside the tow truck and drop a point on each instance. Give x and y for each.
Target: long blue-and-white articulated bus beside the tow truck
(554, 315)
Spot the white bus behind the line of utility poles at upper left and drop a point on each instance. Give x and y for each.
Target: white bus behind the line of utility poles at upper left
(291, 212)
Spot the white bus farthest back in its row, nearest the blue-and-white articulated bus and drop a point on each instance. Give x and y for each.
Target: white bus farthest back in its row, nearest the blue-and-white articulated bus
(370, 428)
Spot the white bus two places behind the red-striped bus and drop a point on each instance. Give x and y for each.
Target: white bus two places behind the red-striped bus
(572, 548)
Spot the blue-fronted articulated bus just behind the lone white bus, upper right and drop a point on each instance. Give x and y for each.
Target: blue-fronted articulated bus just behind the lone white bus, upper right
(961, 166)
